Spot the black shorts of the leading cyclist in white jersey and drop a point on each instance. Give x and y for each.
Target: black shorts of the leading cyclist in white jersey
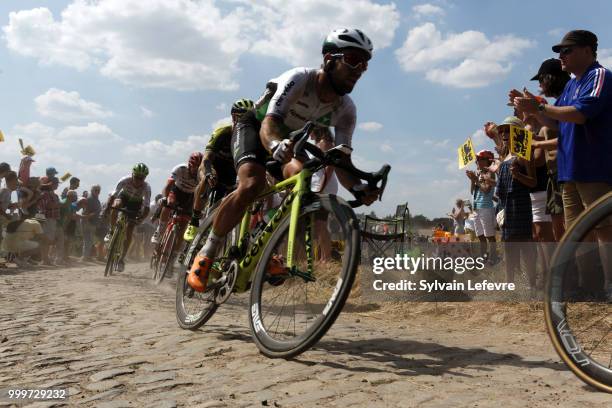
(246, 144)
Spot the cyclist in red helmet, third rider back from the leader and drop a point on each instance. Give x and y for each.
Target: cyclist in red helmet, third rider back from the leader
(178, 193)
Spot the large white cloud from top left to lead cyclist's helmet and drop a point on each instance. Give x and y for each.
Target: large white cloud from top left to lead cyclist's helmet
(183, 44)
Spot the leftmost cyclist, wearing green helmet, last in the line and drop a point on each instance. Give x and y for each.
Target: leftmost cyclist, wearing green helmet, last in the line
(132, 193)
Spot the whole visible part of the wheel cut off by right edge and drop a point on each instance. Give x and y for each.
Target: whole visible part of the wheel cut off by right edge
(578, 323)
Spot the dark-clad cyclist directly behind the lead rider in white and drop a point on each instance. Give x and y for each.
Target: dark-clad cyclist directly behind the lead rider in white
(217, 168)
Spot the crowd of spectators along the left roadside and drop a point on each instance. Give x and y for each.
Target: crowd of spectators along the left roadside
(41, 224)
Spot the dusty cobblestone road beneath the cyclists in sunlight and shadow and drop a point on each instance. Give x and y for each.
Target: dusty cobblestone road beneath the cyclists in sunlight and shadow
(114, 342)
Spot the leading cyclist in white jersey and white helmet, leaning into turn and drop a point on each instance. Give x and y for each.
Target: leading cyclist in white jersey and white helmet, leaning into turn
(289, 101)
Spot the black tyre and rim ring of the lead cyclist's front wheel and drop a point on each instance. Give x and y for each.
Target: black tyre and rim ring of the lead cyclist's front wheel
(275, 349)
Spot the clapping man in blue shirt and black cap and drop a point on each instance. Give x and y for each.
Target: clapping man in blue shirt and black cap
(583, 116)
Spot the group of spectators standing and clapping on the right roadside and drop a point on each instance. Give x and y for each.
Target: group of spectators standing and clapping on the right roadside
(533, 201)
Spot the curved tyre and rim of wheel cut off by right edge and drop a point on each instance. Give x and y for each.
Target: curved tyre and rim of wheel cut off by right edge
(565, 344)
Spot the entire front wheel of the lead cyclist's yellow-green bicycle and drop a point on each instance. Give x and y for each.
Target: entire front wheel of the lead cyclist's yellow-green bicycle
(292, 308)
